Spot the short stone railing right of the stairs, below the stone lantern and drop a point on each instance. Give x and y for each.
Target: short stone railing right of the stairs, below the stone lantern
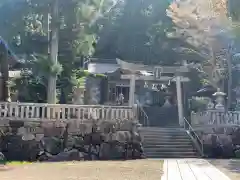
(215, 117)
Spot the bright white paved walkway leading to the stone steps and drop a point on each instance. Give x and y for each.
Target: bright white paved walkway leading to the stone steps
(191, 169)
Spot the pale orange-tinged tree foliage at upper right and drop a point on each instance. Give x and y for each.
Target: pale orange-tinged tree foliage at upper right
(207, 32)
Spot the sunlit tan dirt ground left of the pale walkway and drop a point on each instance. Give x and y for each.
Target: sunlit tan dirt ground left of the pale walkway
(92, 170)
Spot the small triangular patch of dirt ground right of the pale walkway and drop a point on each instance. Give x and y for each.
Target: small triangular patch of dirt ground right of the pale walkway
(230, 167)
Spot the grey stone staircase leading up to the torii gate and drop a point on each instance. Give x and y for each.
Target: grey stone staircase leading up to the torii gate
(167, 143)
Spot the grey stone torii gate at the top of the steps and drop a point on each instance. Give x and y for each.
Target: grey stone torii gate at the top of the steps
(157, 75)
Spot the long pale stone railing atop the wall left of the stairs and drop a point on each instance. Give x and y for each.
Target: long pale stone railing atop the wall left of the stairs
(62, 112)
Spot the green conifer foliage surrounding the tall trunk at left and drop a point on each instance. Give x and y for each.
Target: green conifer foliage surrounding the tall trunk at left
(28, 20)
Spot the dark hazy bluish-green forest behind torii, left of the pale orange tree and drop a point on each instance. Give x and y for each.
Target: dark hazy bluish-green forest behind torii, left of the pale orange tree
(137, 31)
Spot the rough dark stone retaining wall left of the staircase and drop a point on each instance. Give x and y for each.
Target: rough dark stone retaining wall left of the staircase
(59, 141)
